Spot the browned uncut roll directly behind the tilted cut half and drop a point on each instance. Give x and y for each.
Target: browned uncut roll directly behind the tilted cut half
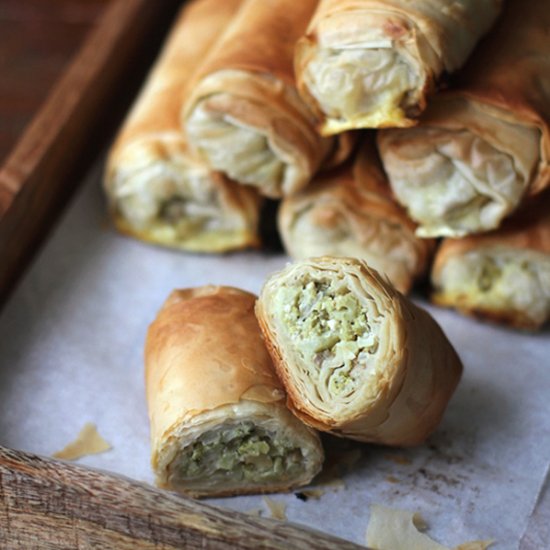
(358, 193)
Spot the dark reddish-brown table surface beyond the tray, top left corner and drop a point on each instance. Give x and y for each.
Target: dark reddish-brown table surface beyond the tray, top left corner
(39, 37)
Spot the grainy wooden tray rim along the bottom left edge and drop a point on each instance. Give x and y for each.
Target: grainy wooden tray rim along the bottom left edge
(47, 504)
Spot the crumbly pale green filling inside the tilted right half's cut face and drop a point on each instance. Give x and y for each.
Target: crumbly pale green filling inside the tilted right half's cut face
(329, 327)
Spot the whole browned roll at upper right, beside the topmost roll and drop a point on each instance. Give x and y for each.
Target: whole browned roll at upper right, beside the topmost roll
(483, 146)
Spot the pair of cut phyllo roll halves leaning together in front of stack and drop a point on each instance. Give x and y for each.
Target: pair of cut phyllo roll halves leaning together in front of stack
(342, 352)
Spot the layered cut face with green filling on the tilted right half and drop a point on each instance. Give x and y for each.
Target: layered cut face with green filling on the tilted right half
(336, 334)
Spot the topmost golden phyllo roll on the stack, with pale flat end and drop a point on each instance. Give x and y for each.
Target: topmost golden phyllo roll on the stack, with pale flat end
(372, 63)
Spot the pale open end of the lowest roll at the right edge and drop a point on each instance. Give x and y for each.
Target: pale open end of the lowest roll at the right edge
(500, 280)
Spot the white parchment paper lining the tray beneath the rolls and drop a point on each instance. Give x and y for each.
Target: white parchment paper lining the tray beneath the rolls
(71, 340)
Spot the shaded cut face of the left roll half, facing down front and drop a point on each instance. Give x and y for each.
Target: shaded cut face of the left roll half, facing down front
(240, 446)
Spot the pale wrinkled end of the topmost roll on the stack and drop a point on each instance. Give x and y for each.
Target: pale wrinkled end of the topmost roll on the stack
(364, 80)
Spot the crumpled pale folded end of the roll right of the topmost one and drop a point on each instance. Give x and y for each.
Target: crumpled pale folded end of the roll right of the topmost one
(454, 182)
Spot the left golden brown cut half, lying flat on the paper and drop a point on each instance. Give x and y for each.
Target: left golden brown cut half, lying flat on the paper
(219, 424)
